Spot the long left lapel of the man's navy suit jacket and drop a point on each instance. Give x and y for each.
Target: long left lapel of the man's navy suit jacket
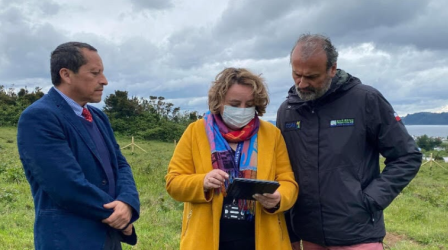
(74, 121)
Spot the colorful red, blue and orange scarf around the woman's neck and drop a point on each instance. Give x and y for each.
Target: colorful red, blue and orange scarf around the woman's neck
(236, 166)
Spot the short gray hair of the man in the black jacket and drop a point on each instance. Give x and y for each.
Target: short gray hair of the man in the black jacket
(310, 43)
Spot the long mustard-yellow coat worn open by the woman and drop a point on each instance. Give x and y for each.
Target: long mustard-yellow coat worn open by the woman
(184, 182)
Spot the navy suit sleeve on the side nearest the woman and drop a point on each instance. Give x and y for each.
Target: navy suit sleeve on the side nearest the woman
(125, 185)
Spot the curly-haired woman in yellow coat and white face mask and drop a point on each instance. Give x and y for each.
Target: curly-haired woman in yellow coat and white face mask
(231, 142)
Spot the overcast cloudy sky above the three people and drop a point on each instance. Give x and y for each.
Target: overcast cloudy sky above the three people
(174, 48)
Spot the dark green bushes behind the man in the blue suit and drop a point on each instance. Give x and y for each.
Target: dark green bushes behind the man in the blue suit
(150, 118)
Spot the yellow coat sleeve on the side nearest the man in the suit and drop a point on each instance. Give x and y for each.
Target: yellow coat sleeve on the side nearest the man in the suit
(183, 182)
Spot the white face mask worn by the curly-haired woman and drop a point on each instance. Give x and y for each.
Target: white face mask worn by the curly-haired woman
(237, 117)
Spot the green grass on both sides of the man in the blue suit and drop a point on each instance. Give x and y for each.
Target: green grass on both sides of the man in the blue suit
(160, 216)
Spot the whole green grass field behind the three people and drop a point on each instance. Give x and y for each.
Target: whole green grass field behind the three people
(417, 219)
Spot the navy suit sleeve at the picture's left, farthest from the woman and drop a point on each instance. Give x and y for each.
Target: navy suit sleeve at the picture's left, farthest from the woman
(48, 161)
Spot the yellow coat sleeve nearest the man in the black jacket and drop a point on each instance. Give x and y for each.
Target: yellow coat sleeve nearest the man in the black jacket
(289, 188)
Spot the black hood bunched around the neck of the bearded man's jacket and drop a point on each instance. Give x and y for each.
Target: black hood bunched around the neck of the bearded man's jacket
(340, 83)
